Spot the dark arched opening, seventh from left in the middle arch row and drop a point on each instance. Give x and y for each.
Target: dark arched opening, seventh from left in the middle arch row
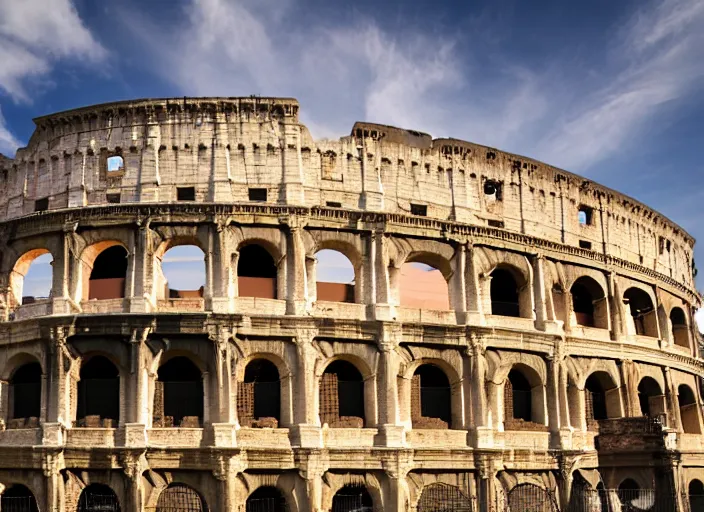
(524, 398)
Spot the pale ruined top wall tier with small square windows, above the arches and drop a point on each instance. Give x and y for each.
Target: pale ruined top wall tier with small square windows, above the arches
(224, 146)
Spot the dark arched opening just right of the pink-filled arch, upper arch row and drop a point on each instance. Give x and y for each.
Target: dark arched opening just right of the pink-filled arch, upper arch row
(508, 292)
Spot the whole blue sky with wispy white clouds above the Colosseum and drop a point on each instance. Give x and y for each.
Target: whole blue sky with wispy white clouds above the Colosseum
(610, 90)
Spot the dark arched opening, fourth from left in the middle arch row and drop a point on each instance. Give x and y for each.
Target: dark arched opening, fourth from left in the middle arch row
(259, 395)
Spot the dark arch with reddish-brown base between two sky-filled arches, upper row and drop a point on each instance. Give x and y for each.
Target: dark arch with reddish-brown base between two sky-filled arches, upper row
(256, 272)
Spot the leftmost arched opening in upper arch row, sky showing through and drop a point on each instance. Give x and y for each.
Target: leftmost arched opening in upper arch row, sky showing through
(32, 277)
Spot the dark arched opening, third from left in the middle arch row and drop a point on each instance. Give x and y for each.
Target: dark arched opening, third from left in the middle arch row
(178, 394)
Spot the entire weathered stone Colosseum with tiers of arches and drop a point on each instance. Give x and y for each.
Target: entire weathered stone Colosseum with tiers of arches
(514, 338)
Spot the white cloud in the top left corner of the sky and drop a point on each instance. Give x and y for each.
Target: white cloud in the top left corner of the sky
(34, 35)
